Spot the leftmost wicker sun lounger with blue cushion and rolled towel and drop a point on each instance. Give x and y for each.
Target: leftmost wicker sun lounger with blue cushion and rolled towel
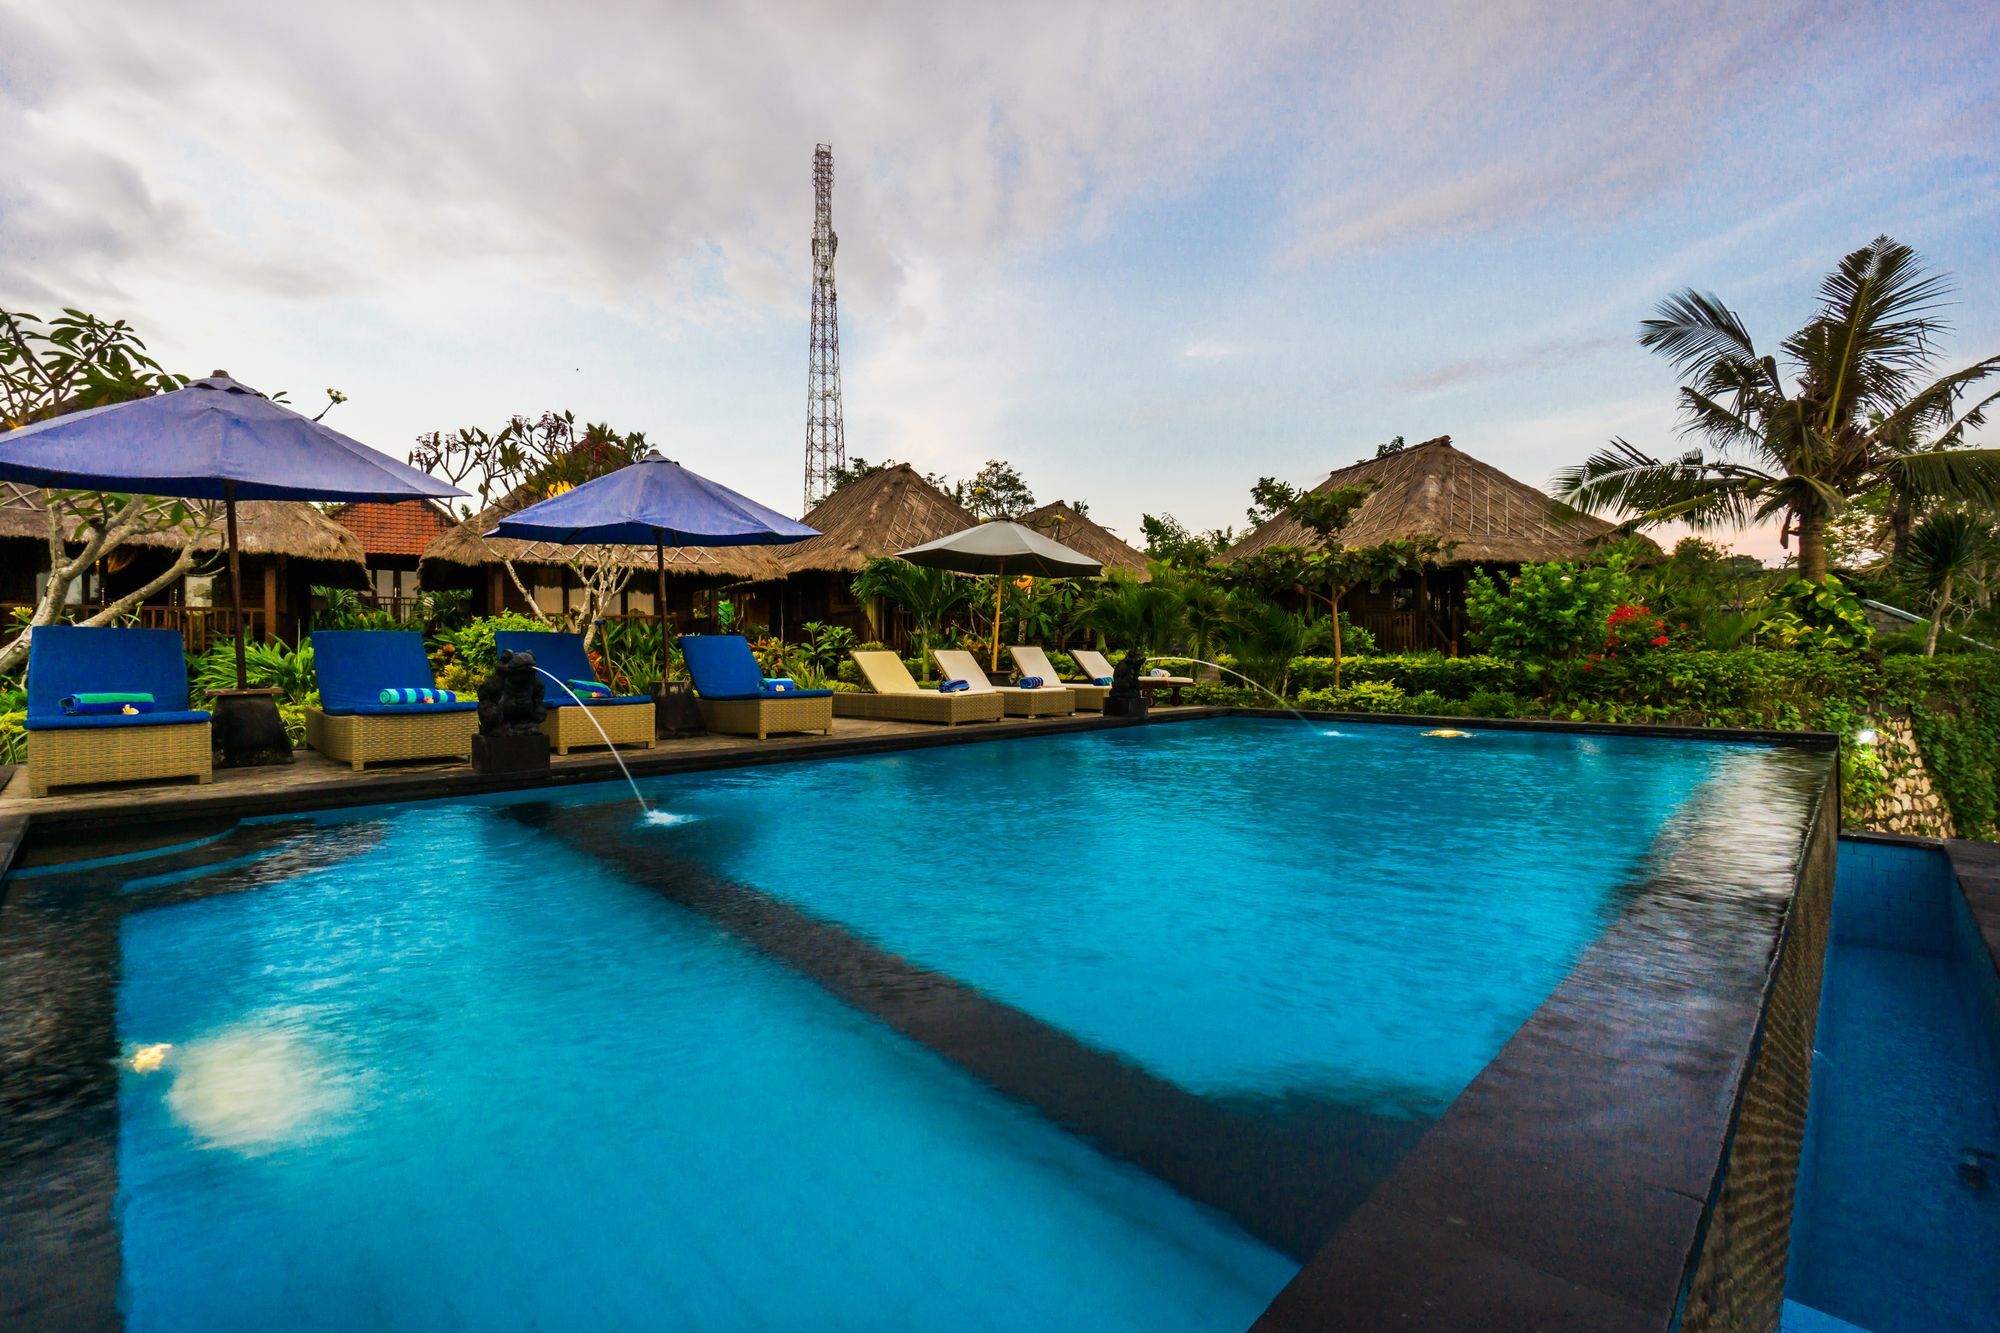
(111, 706)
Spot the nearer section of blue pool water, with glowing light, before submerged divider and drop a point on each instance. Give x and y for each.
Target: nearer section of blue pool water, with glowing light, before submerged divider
(473, 1082)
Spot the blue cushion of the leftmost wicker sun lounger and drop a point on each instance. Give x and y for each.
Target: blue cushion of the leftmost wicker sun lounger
(71, 659)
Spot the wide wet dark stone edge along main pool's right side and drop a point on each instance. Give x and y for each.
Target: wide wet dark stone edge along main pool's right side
(1573, 1182)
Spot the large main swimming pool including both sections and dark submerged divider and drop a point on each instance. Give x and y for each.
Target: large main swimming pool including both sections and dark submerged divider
(1081, 1032)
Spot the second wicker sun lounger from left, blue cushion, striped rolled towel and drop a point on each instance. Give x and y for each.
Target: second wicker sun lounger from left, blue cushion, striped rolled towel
(353, 726)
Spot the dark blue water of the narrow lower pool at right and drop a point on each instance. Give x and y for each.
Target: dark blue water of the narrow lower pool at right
(1887, 1236)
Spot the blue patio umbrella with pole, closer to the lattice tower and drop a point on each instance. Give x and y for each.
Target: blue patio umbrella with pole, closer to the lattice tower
(653, 501)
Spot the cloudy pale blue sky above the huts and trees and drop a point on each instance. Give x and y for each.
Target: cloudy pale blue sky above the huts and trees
(1147, 253)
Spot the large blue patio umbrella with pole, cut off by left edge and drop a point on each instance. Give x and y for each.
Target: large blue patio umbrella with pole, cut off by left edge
(211, 441)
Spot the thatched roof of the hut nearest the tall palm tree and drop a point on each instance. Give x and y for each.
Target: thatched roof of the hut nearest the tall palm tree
(1433, 489)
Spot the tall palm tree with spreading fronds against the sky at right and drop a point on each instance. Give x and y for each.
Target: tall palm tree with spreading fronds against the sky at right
(1799, 449)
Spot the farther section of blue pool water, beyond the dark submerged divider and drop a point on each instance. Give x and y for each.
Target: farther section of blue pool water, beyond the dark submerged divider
(1247, 908)
